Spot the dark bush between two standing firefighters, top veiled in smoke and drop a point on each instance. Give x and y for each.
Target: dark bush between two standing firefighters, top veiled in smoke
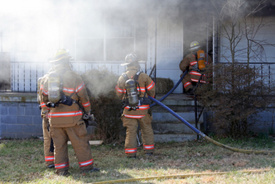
(106, 107)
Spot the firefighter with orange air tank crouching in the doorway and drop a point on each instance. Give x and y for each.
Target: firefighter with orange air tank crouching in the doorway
(195, 63)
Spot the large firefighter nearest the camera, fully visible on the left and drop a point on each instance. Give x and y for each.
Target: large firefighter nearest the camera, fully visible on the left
(65, 94)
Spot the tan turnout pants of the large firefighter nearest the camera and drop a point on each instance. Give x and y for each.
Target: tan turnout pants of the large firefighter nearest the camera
(79, 139)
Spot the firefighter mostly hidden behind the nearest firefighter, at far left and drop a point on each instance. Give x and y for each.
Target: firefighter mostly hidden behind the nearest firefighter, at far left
(48, 143)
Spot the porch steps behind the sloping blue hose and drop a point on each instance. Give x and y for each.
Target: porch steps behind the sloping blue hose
(168, 128)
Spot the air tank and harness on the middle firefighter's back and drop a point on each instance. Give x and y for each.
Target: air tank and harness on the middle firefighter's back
(133, 99)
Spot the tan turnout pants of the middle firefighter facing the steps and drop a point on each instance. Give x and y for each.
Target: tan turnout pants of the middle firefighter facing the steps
(147, 134)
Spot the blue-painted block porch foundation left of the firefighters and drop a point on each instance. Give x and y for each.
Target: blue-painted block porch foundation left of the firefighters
(20, 118)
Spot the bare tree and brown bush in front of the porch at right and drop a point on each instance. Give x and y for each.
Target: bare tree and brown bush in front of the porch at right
(239, 89)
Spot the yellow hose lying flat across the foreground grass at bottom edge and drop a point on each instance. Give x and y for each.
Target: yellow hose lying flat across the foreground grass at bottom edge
(182, 176)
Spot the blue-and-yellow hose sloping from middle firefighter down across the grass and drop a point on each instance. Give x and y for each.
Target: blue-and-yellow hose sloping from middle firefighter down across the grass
(208, 138)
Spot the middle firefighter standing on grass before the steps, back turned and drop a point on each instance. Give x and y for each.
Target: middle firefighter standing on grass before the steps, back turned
(133, 87)
